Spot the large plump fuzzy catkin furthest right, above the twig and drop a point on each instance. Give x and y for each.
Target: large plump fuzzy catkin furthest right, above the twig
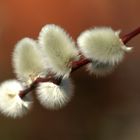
(102, 44)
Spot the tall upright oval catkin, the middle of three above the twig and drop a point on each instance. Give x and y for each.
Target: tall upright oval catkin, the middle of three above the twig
(59, 49)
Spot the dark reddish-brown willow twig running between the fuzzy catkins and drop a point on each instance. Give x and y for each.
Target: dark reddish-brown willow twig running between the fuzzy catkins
(75, 66)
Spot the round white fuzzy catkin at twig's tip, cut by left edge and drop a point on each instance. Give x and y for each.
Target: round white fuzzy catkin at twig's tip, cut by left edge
(11, 104)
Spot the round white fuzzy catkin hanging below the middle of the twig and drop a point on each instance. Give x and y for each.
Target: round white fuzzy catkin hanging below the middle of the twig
(53, 96)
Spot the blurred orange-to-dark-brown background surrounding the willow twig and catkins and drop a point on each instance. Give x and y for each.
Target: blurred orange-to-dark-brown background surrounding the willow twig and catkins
(102, 108)
